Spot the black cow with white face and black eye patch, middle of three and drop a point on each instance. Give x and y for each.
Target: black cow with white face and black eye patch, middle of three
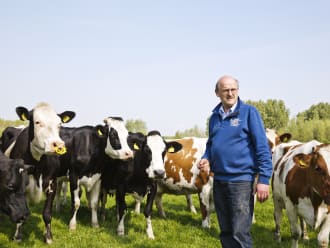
(88, 151)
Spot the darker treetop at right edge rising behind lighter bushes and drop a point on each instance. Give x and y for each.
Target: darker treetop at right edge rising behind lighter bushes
(320, 111)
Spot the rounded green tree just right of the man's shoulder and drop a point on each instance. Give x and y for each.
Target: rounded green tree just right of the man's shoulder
(273, 112)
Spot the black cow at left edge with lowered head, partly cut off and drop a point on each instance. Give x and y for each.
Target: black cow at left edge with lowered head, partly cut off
(13, 180)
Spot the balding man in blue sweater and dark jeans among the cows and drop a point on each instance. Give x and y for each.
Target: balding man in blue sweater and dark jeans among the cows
(236, 152)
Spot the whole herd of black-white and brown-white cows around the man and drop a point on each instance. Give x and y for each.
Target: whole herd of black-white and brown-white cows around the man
(107, 159)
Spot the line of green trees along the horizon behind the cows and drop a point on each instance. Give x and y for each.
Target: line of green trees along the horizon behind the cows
(313, 123)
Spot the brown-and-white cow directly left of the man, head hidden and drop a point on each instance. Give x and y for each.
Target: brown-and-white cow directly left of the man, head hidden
(184, 178)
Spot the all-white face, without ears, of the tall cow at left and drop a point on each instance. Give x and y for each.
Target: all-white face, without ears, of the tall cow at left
(46, 138)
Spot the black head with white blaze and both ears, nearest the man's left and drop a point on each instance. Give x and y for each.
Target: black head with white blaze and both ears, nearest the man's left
(150, 152)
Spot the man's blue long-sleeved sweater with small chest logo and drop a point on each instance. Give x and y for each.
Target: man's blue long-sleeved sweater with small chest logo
(237, 147)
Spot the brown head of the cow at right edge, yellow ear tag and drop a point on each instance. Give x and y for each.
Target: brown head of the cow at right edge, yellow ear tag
(318, 163)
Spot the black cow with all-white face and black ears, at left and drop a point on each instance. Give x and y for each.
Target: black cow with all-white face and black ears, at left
(34, 144)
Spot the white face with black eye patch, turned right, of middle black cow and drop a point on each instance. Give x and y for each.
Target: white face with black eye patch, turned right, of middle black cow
(117, 146)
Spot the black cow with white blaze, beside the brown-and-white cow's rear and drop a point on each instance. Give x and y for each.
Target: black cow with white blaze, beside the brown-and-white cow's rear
(137, 176)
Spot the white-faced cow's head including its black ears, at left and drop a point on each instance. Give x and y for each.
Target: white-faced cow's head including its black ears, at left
(44, 128)
